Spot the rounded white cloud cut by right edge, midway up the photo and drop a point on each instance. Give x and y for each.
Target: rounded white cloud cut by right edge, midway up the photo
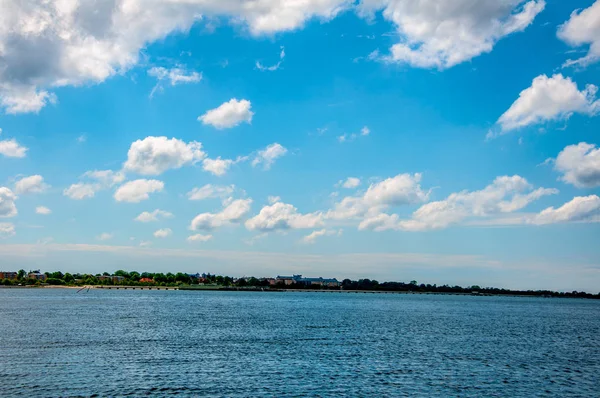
(580, 165)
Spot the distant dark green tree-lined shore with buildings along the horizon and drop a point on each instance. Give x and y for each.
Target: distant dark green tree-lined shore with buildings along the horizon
(186, 281)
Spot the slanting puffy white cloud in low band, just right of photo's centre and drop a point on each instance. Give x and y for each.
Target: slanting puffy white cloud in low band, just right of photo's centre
(402, 189)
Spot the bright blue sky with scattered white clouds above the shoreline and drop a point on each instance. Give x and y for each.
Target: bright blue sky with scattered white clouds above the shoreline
(450, 142)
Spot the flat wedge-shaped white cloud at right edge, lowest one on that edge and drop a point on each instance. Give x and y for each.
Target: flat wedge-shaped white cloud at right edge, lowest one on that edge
(580, 209)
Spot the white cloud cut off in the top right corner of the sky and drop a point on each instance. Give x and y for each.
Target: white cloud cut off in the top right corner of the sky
(583, 28)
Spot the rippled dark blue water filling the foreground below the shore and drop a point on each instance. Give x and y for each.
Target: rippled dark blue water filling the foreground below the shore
(54, 342)
